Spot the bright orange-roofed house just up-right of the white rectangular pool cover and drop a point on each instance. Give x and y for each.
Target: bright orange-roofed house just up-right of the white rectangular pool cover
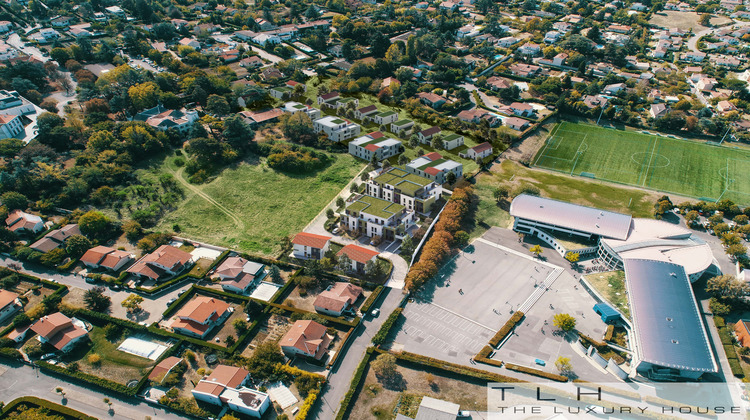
(200, 315)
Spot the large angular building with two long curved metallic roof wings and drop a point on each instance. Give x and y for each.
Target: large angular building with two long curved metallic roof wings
(660, 260)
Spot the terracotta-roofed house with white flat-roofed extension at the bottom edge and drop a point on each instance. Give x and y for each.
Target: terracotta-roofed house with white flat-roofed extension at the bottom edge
(226, 386)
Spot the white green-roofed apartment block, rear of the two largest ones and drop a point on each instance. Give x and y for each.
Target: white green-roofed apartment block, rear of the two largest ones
(397, 185)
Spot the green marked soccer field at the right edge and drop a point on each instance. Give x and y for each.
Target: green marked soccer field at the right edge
(660, 163)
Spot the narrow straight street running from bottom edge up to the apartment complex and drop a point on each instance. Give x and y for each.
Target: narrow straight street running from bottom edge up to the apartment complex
(341, 376)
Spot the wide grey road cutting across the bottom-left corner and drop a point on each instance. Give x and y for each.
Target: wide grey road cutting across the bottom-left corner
(22, 380)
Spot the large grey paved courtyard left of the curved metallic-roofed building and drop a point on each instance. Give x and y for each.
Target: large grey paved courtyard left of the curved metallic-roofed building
(476, 293)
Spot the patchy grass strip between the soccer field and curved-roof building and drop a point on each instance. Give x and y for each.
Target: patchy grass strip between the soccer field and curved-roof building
(552, 185)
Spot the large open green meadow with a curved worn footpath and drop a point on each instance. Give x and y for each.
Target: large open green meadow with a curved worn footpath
(250, 207)
